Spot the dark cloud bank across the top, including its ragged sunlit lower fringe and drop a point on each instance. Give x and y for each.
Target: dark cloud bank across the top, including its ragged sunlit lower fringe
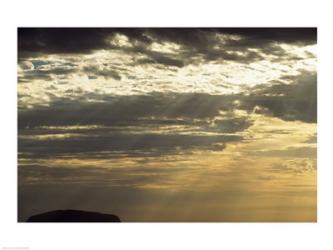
(194, 42)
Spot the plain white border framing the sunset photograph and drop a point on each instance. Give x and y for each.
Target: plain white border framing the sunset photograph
(158, 14)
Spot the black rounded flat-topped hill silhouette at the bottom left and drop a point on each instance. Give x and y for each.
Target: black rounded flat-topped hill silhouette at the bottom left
(73, 216)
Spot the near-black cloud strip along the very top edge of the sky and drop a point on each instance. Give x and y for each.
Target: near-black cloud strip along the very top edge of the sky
(78, 40)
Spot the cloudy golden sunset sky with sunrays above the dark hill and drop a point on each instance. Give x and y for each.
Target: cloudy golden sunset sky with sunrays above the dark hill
(168, 124)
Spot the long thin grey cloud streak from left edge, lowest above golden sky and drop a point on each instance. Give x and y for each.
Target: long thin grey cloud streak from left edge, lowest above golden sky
(160, 144)
